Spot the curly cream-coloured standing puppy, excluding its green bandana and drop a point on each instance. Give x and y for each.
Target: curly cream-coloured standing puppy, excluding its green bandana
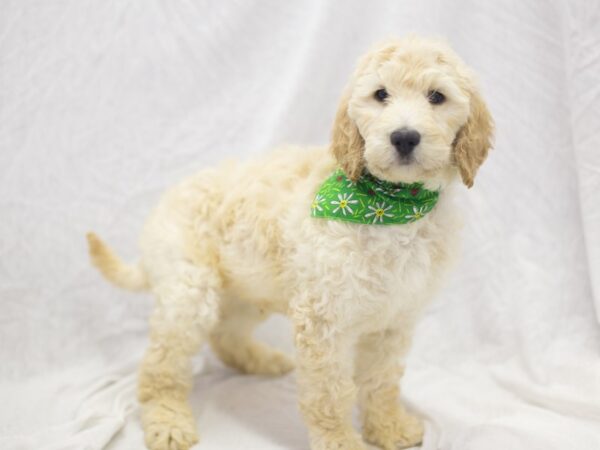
(231, 245)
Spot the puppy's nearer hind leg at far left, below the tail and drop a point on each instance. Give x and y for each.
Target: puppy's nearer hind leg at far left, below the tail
(187, 304)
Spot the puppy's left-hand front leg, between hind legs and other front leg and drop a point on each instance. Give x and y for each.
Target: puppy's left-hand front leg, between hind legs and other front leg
(326, 388)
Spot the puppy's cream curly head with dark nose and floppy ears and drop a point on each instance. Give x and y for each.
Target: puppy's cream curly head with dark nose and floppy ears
(412, 112)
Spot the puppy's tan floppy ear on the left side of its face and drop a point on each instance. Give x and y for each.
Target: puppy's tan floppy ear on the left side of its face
(347, 144)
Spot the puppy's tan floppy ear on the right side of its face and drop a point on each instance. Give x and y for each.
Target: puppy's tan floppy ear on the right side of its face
(474, 140)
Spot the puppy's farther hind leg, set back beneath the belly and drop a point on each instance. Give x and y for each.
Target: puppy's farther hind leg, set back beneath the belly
(233, 342)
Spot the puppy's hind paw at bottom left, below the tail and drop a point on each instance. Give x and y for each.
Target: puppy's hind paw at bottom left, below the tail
(169, 426)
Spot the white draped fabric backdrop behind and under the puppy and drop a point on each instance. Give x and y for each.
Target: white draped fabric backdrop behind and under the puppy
(105, 103)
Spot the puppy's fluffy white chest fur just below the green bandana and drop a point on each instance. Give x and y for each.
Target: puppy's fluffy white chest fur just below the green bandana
(377, 276)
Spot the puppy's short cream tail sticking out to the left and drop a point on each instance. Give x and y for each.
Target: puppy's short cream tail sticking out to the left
(126, 276)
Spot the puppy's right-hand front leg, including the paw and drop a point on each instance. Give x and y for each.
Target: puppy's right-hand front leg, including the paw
(378, 370)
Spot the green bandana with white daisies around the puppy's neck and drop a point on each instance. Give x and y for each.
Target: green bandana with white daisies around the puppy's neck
(371, 201)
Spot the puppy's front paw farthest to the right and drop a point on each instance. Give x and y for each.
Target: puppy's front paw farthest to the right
(401, 432)
